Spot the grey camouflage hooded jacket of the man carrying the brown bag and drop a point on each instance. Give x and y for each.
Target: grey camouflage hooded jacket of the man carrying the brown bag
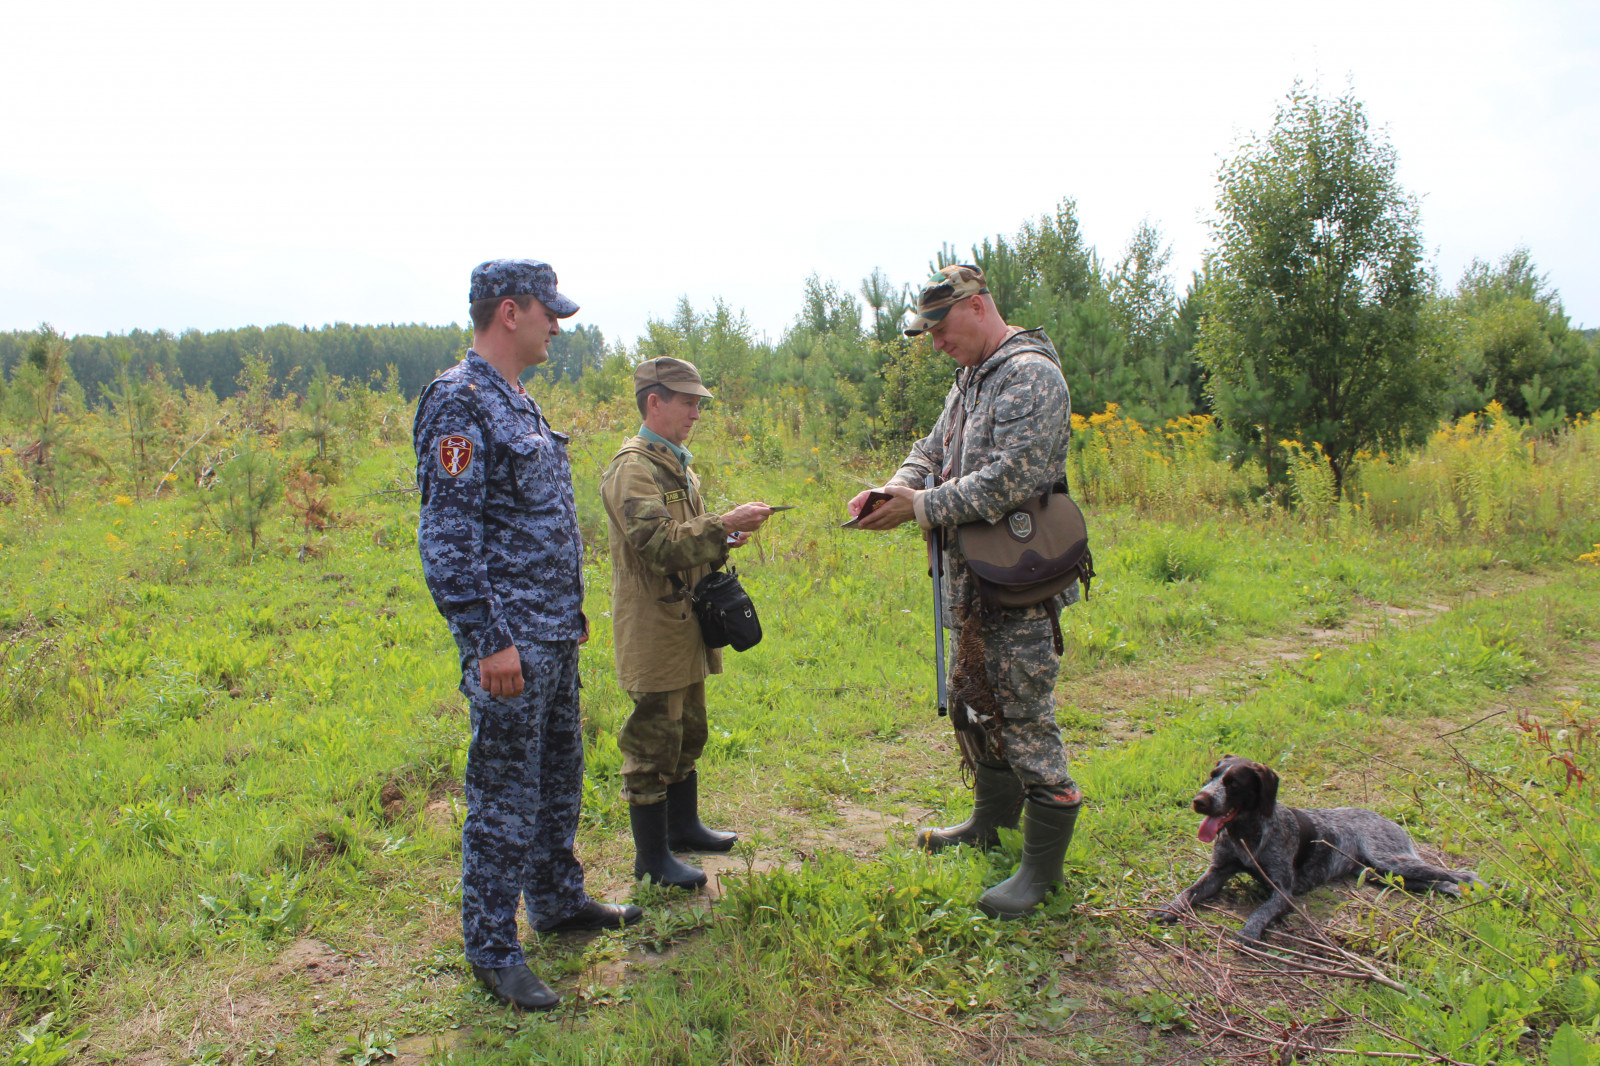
(1014, 444)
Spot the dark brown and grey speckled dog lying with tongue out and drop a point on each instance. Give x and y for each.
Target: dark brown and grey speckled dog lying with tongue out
(1294, 851)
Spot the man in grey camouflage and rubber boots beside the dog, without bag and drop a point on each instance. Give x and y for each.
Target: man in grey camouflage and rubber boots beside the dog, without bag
(1001, 441)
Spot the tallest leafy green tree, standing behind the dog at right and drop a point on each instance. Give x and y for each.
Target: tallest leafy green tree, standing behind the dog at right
(1318, 326)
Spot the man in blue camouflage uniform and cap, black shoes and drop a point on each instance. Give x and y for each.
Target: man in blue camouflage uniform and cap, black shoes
(503, 558)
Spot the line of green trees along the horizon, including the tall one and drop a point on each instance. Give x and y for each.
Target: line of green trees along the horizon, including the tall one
(1314, 319)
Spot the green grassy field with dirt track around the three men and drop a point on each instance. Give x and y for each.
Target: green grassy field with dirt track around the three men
(230, 782)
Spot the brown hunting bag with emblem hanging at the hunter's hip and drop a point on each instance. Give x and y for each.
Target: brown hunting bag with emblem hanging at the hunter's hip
(1033, 553)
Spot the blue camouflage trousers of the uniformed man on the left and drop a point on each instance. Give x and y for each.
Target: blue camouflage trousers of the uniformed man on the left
(524, 783)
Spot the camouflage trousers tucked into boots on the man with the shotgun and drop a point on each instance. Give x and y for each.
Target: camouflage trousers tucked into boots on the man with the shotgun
(1022, 663)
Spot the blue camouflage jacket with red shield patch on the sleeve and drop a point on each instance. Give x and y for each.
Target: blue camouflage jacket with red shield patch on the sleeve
(498, 534)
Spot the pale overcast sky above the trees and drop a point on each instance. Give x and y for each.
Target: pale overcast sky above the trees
(209, 166)
